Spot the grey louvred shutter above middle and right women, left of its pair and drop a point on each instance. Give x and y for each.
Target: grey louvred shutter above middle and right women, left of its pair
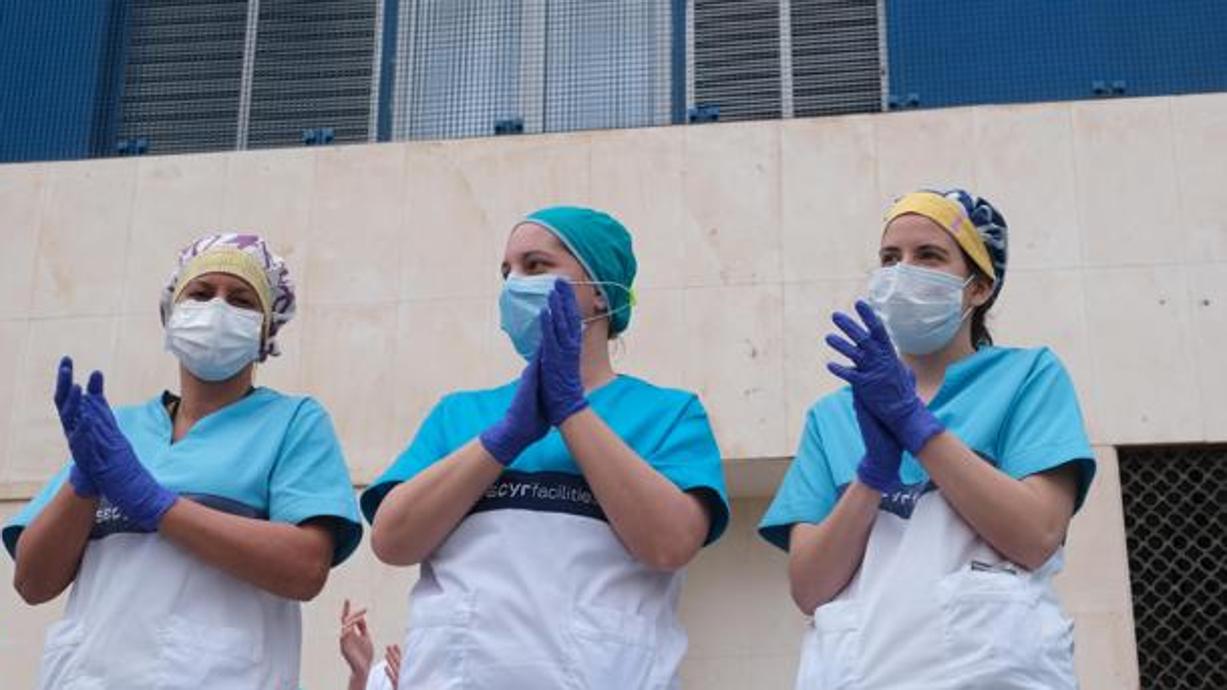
(738, 58)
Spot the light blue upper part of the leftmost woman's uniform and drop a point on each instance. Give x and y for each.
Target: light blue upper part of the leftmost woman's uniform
(267, 456)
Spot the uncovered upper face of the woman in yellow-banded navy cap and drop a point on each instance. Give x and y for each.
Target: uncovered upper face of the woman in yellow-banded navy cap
(920, 242)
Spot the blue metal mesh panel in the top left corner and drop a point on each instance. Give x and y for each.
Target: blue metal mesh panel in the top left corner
(53, 78)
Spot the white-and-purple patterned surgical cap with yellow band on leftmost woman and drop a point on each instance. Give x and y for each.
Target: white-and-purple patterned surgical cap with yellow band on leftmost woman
(244, 256)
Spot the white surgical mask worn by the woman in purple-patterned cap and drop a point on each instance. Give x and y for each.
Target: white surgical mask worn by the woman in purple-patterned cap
(213, 339)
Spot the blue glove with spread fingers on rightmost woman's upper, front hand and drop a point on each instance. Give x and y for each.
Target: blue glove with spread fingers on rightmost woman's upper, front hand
(884, 384)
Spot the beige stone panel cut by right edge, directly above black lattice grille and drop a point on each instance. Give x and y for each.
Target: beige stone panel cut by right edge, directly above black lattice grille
(1208, 294)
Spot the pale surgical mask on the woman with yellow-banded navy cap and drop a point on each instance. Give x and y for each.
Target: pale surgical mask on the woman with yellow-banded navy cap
(922, 309)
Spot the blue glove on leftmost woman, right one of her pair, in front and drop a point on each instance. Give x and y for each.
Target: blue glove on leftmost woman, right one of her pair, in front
(115, 467)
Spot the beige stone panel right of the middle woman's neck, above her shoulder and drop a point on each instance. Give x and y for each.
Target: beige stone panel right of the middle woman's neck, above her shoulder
(658, 344)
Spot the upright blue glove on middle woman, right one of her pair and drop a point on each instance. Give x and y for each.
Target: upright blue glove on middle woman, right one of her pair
(563, 335)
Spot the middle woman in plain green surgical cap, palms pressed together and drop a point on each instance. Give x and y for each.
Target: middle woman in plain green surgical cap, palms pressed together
(553, 516)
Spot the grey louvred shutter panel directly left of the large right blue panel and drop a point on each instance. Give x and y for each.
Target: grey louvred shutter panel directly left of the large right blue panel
(836, 58)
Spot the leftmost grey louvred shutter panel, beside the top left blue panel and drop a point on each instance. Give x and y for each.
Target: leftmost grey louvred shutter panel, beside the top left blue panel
(183, 74)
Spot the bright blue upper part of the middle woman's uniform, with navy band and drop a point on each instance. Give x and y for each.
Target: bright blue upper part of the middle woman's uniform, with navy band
(667, 428)
